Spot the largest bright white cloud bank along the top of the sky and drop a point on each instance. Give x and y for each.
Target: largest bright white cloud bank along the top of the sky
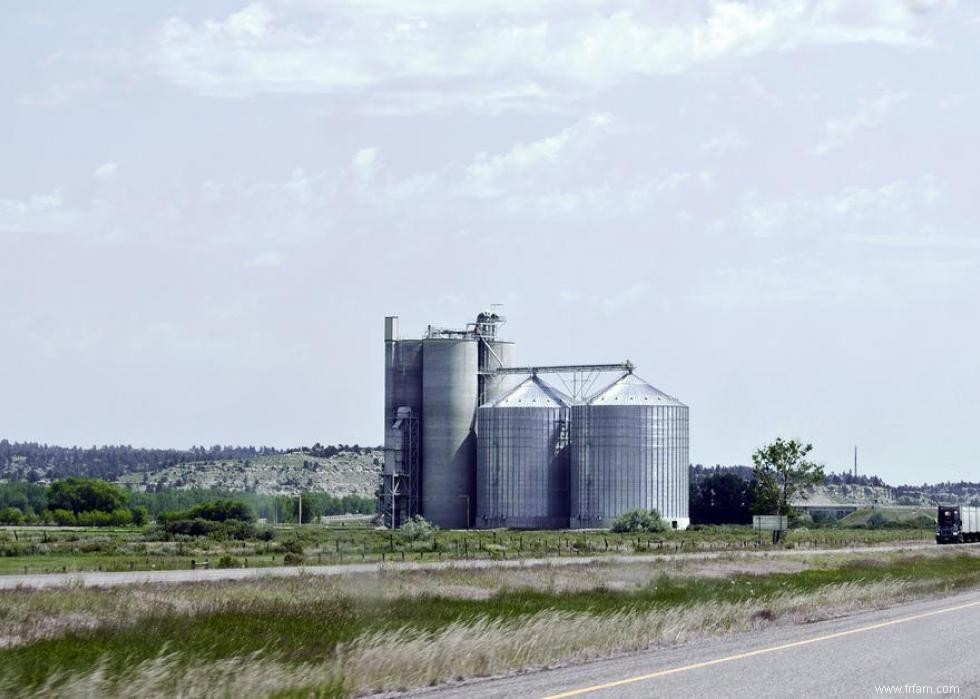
(522, 55)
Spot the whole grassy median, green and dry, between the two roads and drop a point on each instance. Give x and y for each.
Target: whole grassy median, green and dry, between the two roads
(311, 636)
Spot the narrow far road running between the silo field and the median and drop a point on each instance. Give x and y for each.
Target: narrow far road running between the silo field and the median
(95, 579)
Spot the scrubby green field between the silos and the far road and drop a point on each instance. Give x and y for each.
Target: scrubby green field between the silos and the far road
(53, 550)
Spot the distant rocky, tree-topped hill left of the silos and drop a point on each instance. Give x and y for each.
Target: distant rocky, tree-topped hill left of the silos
(337, 469)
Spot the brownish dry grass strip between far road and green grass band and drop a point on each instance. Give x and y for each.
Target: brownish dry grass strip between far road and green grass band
(29, 615)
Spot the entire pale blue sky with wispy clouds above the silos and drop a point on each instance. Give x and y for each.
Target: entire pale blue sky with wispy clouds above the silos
(207, 208)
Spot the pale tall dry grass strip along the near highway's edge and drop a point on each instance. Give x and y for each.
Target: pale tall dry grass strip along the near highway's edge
(407, 658)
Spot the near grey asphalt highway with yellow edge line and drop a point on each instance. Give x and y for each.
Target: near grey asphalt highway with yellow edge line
(922, 648)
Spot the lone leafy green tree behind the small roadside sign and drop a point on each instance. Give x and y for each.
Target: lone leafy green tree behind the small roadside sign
(781, 474)
